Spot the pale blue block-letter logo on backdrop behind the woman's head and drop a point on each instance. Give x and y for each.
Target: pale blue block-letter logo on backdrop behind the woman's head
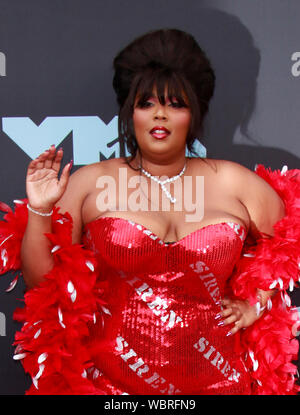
(93, 140)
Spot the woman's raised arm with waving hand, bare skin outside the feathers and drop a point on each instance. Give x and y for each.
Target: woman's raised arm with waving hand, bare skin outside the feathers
(44, 191)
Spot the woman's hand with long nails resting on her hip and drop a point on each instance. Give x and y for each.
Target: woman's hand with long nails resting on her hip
(237, 312)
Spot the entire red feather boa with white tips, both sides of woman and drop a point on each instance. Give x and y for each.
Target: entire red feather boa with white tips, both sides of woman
(59, 313)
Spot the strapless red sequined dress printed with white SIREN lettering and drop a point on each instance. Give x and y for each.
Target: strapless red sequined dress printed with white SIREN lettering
(162, 336)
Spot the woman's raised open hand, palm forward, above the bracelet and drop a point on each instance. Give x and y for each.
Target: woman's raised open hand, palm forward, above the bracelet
(43, 186)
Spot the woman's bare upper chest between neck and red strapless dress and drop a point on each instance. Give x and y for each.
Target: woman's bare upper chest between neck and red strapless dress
(201, 200)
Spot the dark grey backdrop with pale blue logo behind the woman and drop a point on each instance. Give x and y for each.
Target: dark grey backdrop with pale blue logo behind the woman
(56, 88)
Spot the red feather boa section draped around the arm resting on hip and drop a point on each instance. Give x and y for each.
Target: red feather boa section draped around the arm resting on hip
(273, 262)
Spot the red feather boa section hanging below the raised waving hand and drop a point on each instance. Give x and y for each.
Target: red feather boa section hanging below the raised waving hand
(58, 314)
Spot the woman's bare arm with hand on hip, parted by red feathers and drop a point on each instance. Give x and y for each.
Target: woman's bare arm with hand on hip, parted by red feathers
(265, 208)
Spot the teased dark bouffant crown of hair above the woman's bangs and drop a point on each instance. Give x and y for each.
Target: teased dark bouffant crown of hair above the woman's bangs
(164, 50)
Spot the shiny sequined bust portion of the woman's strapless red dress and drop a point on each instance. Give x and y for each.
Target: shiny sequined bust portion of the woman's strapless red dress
(126, 245)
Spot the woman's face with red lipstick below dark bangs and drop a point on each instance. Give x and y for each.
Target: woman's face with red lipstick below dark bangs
(161, 129)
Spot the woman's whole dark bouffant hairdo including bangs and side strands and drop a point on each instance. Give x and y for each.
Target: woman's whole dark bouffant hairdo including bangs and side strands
(169, 60)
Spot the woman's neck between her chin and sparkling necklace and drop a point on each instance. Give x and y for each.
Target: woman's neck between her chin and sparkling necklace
(156, 167)
